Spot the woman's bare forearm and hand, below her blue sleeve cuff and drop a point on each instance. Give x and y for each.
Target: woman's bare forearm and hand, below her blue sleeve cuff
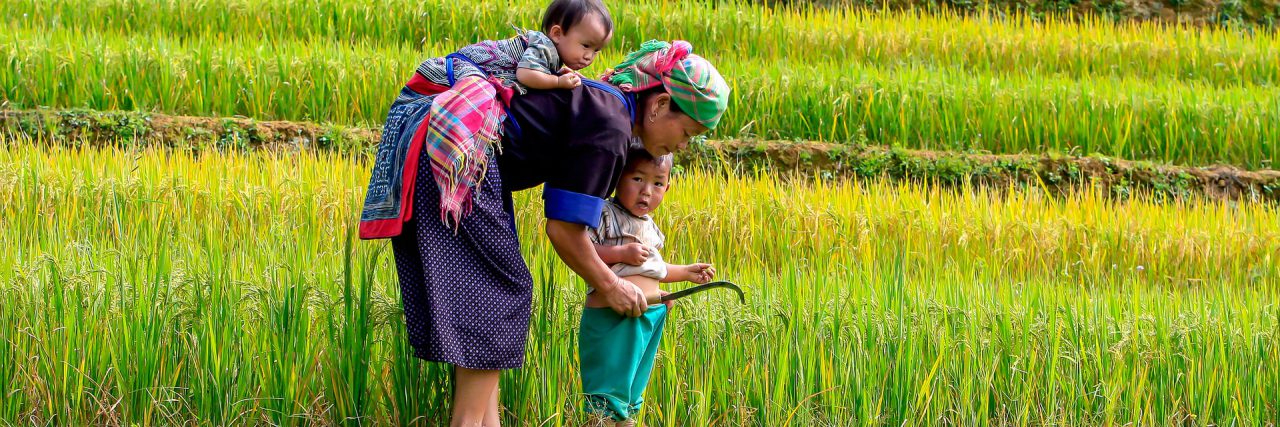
(575, 249)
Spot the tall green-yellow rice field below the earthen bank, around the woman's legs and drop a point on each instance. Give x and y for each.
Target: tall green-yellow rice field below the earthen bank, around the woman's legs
(162, 288)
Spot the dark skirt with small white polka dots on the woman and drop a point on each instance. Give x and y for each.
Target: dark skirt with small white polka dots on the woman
(467, 296)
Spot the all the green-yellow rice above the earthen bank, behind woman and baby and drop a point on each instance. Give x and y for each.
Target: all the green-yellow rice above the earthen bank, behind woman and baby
(1136, 91)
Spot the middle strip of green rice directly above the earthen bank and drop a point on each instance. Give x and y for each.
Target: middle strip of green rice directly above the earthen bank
(921, 107)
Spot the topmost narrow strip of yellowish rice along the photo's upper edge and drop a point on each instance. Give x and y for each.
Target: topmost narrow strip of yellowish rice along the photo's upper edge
(984, 44)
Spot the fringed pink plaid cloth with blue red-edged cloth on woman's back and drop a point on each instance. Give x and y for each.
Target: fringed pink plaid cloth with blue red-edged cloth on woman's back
(456, 126)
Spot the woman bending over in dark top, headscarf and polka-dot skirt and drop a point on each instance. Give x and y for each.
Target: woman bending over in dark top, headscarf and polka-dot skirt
(467, 291)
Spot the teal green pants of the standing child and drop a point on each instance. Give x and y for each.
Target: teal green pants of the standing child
(618, 357)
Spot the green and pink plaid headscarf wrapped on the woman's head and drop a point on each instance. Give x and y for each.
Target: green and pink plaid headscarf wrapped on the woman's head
(693, 82)
